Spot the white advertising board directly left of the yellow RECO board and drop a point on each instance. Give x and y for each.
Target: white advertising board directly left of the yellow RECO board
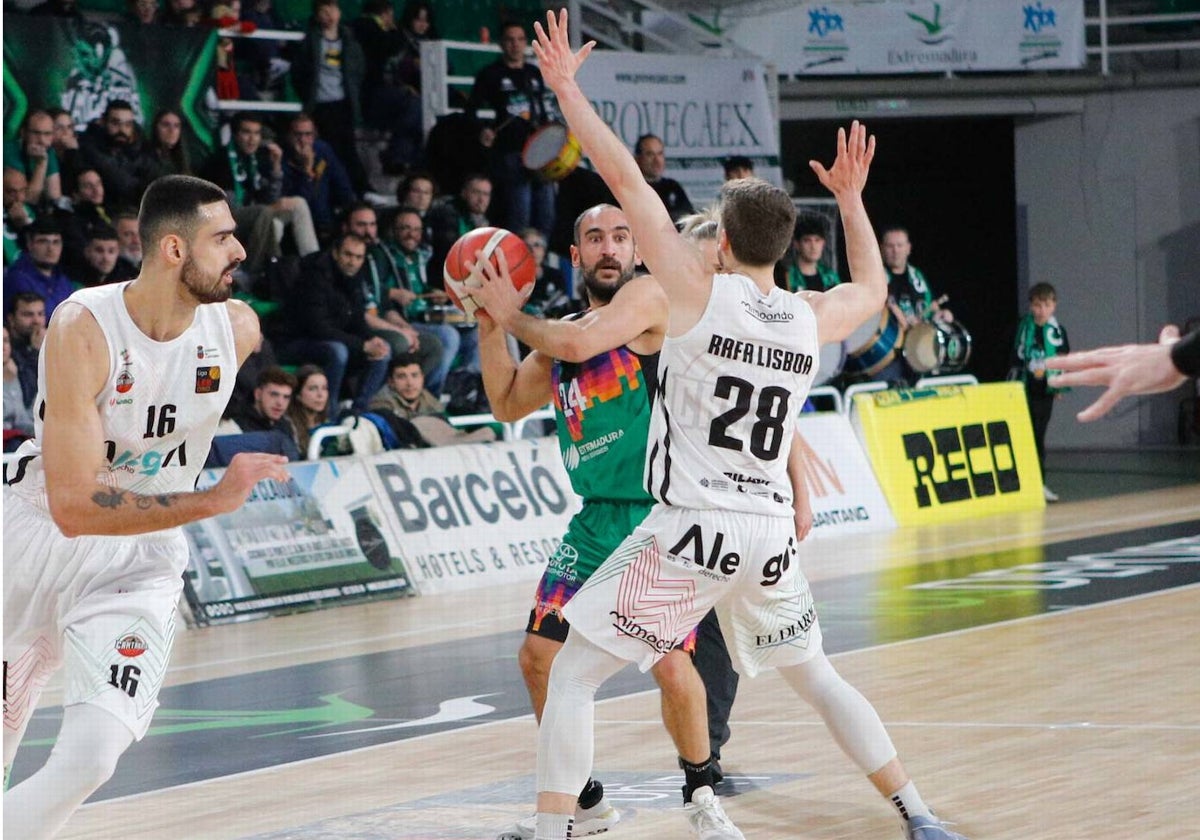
(844, 493)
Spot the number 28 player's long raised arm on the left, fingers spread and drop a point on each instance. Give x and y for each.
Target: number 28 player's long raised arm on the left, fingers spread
(673, 261)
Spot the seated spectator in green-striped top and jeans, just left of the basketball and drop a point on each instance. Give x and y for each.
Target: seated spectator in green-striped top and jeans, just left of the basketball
(417, 299)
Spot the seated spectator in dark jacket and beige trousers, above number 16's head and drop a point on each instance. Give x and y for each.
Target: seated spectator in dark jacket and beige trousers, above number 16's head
(251, 172)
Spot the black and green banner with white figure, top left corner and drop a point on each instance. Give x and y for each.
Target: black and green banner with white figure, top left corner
(83, 65)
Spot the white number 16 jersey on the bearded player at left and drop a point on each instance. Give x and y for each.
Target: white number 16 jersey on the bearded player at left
(160, 405)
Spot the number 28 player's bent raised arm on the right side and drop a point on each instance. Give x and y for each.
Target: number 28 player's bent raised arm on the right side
(844, 308)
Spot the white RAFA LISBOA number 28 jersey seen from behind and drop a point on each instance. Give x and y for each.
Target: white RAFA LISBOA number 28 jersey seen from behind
(730, 391)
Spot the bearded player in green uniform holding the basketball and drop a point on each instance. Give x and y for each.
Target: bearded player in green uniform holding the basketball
(599, 371)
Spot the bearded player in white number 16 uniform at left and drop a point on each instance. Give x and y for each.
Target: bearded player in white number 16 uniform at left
(133, 381)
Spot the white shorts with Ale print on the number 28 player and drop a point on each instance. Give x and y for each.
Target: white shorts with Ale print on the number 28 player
(680, 563)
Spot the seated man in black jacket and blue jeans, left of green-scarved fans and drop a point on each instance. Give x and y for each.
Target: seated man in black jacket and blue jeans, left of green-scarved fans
(325, 321)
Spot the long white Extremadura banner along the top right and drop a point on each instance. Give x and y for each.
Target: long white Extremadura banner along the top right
(917, 37)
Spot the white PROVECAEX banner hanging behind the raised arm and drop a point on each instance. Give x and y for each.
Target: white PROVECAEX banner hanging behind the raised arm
(705, 110)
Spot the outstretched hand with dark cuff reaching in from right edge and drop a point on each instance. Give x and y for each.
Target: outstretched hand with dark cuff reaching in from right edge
(1129, 370)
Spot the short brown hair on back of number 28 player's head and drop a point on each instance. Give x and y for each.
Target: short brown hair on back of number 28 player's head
(759, 219)
